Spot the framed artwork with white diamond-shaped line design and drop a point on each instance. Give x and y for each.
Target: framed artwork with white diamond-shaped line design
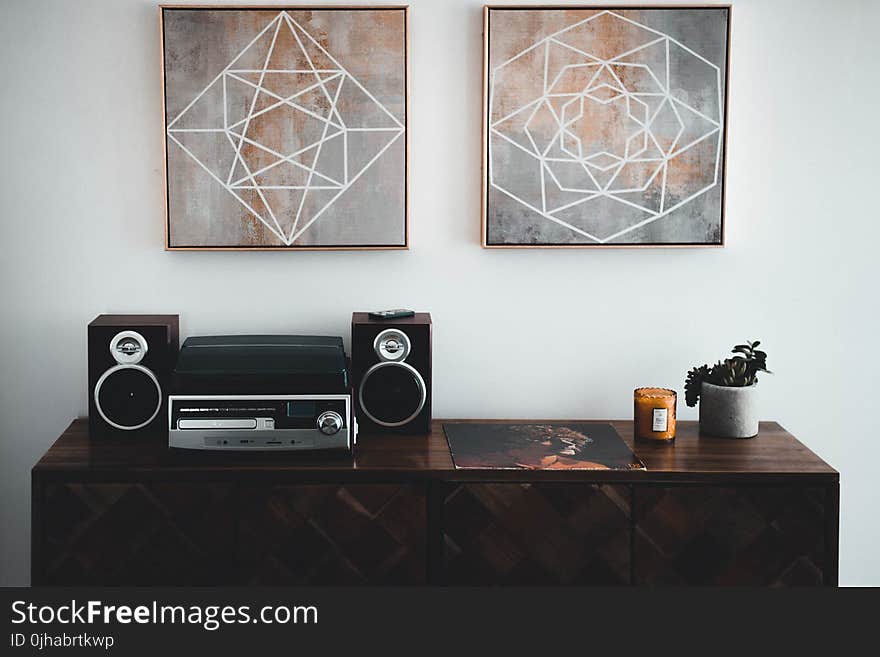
(285, 127)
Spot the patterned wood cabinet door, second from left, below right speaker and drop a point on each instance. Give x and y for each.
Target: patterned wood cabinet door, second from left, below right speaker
(333, 534)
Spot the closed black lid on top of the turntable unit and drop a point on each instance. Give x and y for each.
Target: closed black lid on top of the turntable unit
(247, 364)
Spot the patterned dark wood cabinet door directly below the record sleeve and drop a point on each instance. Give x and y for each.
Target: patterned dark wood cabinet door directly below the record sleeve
(535, 534)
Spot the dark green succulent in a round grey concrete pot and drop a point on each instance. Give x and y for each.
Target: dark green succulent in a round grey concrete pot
(727, 392)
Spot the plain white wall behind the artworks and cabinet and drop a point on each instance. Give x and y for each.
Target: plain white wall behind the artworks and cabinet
(543, 333)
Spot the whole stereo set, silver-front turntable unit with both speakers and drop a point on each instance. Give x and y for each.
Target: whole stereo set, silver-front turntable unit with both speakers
(259, 392)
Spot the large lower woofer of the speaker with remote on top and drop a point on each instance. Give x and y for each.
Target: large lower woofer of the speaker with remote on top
(392, 393)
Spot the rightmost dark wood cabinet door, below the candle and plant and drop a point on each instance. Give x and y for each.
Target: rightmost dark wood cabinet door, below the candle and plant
(745, 536)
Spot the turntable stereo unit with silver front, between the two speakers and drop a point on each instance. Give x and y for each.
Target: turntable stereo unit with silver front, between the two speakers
(261, 392)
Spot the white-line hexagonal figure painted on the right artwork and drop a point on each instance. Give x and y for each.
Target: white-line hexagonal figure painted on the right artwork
(633, 91)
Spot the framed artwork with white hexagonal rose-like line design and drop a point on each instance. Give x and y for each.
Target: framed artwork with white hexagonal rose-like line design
(604, 126)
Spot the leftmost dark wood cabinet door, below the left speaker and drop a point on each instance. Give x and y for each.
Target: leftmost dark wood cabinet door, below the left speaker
(136, 534)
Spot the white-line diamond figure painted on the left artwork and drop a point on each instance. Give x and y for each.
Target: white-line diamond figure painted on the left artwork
(293, 127)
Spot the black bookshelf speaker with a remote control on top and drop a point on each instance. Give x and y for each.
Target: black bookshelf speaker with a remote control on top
(391, 371)
